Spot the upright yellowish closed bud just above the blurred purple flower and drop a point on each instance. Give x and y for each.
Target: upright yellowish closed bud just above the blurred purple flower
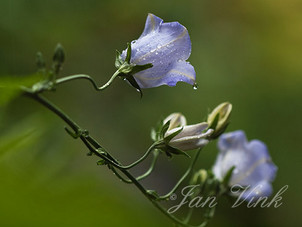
(218, 119)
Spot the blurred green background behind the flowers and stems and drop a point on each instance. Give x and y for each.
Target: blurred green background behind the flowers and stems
(245, 52)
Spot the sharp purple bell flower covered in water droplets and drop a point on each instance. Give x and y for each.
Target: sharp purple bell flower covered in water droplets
(166, 46)
